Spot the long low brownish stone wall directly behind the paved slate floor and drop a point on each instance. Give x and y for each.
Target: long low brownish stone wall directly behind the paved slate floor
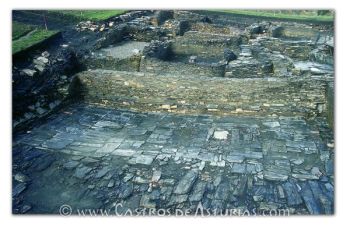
(196, 94)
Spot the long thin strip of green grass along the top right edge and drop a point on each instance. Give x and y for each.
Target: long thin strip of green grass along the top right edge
(281, 14)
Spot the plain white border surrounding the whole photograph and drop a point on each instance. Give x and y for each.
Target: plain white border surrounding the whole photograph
(305, 222)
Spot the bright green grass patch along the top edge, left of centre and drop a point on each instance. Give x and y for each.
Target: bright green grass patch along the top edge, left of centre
(93, 15)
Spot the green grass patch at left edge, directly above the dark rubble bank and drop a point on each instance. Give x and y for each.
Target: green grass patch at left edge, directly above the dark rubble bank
(34, 37)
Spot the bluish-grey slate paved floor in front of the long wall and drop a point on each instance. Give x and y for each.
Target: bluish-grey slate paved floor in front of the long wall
(90, 157)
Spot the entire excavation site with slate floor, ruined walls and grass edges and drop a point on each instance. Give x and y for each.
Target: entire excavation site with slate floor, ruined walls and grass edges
(173, 112)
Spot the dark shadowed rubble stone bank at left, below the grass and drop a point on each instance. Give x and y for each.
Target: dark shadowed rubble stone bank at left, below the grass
(42, 87)
